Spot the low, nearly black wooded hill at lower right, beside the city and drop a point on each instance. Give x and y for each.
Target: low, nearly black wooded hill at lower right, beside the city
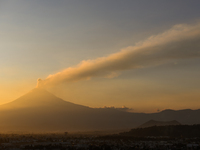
(170, 131)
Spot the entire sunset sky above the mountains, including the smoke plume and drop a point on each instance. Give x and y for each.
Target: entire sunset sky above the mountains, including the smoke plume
(93, 53)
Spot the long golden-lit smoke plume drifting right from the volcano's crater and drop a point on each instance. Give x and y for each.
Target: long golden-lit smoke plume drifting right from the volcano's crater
(179, 42)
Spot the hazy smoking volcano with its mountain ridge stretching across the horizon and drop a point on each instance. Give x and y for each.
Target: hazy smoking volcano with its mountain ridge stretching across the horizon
(40, 110)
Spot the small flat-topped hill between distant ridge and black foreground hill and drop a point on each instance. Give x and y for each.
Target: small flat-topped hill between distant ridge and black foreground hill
(151, 123)
